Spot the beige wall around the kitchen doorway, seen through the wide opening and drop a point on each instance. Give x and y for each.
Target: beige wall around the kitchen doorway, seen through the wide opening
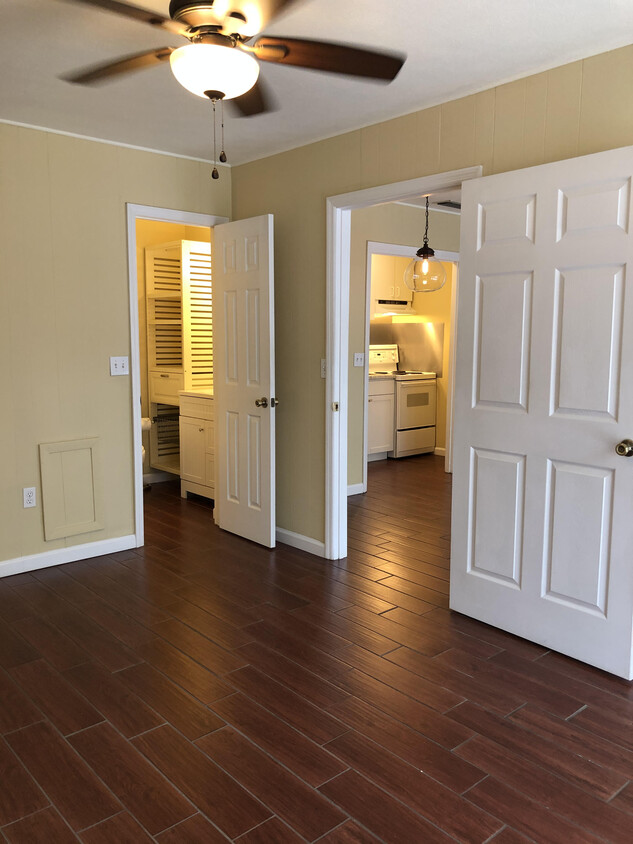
(393, 223)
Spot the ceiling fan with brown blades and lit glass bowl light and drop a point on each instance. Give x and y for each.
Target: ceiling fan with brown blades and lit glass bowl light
(220, 61)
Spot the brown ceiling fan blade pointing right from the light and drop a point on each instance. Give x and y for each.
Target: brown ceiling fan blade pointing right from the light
(324, 55)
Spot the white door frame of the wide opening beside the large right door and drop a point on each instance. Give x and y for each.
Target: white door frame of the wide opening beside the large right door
(339, 211)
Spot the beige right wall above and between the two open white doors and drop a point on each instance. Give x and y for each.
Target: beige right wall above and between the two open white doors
(580, 108)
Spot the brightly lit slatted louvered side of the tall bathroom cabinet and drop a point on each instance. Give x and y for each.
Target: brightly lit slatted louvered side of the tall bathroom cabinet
(197, 332)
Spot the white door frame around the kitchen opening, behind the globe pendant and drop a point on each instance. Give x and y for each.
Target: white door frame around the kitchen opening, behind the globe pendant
(399, 251)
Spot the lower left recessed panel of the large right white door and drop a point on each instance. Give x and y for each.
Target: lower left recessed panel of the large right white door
(496, 516)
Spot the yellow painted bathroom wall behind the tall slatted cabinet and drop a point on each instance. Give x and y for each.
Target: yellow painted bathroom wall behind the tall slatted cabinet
(154, 233)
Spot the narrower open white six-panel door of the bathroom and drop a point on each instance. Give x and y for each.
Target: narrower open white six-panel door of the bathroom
(244, 378)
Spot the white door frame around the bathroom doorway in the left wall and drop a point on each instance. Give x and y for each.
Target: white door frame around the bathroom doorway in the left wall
(161, 215)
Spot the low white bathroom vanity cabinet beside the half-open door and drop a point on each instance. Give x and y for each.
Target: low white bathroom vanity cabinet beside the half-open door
(197, 443)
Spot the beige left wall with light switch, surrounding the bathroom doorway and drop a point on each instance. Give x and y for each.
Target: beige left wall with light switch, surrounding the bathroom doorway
(64, 309)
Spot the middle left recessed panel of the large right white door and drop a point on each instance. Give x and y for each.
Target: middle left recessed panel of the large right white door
(502, 338)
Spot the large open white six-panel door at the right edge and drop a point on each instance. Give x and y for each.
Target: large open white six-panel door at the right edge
(542, 505)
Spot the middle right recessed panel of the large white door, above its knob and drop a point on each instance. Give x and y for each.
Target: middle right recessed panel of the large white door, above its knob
(587, 339)
